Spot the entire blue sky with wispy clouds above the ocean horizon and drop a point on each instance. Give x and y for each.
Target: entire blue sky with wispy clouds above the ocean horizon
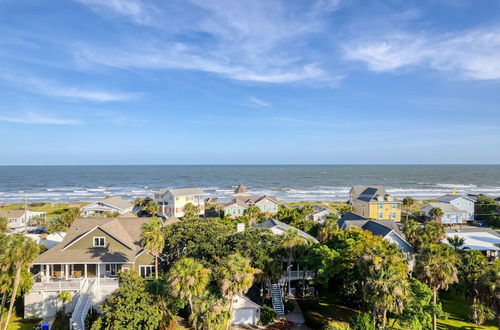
(249, 82)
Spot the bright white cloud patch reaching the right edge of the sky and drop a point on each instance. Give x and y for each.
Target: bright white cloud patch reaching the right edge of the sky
(471, 54)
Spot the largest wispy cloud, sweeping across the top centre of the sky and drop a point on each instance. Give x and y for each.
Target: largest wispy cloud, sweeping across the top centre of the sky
(259, 41)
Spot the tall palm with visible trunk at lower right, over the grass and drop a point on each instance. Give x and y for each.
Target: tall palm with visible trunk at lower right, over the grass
(436, 267)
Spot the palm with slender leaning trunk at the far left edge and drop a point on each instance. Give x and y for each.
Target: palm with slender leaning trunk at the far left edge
(22, 251)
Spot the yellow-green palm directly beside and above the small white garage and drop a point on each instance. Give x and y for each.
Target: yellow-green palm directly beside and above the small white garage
(235, 276)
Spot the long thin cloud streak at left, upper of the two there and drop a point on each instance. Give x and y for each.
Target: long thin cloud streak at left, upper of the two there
(51, 88)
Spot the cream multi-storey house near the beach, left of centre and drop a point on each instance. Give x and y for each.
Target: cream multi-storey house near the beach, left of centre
(172, 202)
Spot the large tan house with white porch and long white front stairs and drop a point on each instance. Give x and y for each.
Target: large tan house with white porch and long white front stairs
(86, 263)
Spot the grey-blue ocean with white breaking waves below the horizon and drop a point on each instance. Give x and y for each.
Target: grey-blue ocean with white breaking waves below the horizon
(288, 182)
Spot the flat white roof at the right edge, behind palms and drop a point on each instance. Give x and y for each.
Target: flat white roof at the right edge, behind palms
(483, 239)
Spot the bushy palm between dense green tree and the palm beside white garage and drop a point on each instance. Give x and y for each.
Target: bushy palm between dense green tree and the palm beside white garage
(188, 278)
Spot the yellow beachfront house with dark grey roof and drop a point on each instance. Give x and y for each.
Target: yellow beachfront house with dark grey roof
(375, 203)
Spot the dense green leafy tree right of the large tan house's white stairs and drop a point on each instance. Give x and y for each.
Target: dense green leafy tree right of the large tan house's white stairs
(131, 306)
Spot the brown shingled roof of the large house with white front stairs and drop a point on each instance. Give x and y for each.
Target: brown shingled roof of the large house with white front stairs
(125, 230)
